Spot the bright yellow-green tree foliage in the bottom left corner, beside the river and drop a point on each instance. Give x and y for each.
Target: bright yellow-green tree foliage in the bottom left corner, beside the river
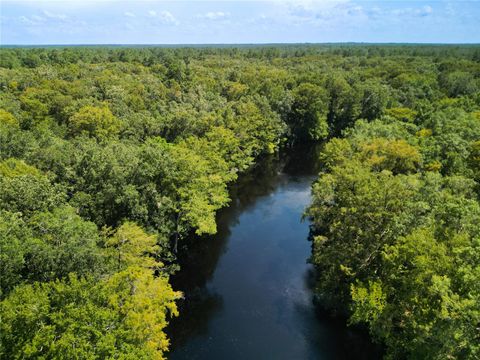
(122, 316)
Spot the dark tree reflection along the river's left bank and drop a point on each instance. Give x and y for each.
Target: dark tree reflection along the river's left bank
(198, 256)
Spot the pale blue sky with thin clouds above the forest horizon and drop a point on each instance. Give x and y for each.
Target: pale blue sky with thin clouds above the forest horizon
(228, 22)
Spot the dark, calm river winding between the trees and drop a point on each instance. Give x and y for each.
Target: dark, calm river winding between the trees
(248, 289)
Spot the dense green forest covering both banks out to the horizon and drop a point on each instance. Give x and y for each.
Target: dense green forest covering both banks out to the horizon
(110, 157)
